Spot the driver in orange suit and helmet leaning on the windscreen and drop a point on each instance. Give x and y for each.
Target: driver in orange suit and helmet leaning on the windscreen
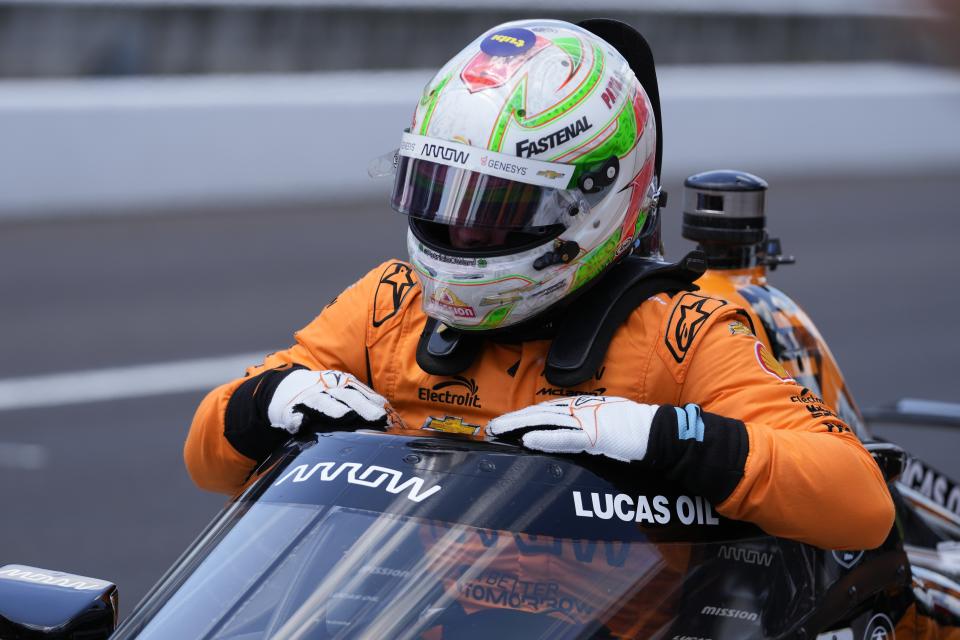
(528, 174)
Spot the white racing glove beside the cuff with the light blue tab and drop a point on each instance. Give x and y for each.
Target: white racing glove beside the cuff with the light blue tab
(614, 427)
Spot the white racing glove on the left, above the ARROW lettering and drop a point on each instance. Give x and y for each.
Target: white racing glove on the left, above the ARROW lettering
(330, 398)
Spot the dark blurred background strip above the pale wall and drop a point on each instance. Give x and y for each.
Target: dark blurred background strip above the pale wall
(155, 37)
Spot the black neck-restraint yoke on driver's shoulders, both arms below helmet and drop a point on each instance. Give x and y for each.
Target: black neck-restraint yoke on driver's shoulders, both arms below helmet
(583, 333)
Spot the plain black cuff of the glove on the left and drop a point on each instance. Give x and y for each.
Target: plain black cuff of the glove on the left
(246, 425)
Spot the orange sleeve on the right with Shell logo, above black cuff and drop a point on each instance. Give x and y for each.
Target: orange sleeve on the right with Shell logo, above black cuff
(806, 477)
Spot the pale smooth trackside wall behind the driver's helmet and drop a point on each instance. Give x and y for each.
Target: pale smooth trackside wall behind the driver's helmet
(116, 146)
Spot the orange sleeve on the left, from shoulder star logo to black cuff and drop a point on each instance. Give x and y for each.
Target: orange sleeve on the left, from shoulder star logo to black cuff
(336, 339)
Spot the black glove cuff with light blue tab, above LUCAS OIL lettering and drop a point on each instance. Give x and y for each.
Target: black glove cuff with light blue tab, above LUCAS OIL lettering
(706, 454)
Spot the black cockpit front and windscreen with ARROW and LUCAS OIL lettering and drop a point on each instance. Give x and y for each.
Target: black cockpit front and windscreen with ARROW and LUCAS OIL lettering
(732, 580)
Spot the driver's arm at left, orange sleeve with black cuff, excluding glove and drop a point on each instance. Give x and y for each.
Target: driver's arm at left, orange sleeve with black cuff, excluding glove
(230, 435)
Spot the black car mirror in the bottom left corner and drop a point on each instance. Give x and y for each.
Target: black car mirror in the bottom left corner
(38, 603)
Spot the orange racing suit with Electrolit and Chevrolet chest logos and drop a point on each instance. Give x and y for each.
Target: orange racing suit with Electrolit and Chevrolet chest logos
(804, 475)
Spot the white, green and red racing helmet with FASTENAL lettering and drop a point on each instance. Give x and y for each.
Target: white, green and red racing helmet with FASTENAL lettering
(529, 168)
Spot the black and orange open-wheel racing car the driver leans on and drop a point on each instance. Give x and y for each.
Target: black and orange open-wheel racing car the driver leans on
(427, 534)
